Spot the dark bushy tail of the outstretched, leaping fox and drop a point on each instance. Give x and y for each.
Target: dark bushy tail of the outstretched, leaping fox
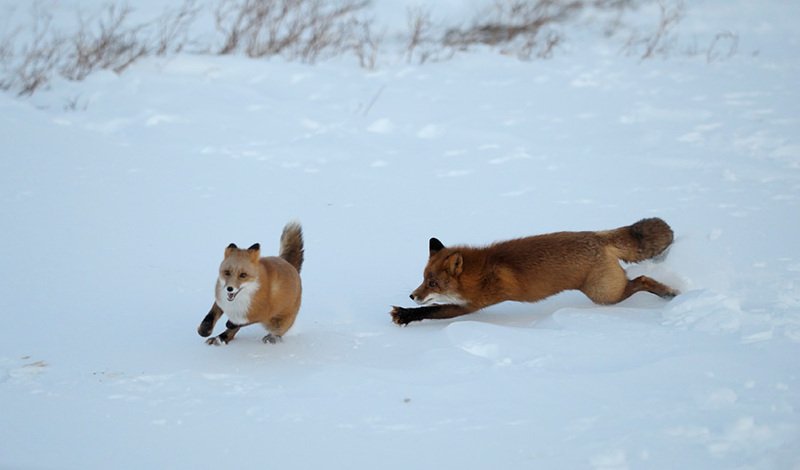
(643, 240)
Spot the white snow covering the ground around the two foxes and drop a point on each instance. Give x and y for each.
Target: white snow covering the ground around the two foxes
(116, 214)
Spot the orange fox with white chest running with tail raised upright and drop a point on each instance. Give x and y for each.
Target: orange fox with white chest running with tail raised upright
(251, 289)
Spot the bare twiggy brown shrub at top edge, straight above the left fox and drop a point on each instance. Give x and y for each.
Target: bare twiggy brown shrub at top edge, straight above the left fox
(298, 29)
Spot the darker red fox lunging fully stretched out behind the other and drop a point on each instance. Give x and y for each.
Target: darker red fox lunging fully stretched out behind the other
(460, 280)
